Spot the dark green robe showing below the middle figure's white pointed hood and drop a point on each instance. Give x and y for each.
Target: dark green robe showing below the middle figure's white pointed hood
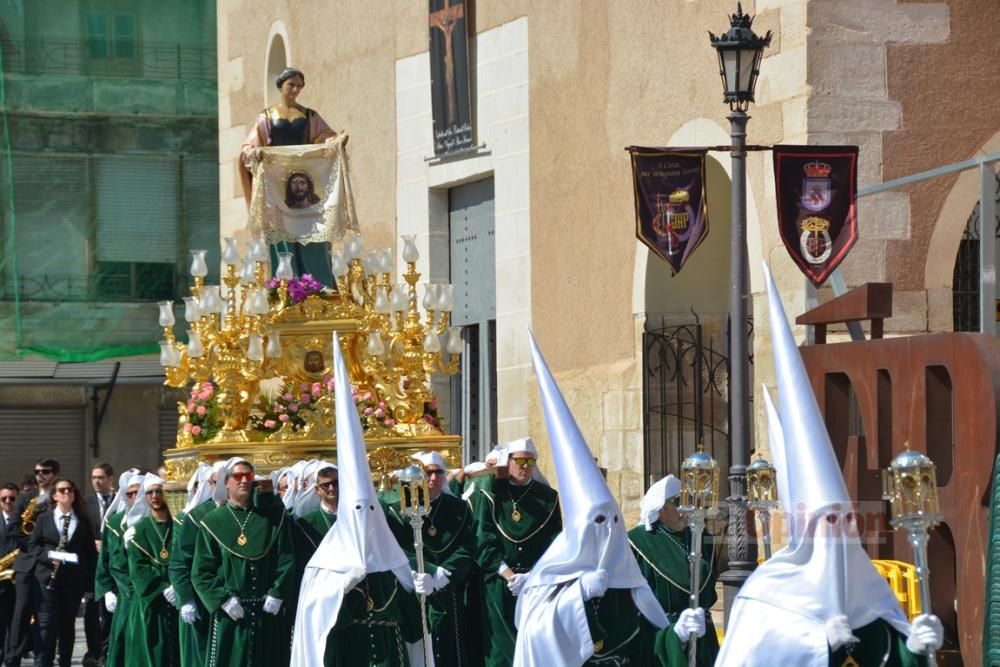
(619, 631)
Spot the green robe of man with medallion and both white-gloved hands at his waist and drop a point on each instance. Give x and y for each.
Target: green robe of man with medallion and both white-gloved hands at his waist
(264, 566)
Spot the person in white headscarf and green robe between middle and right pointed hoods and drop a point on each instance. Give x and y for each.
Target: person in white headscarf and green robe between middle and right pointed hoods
(661, 543)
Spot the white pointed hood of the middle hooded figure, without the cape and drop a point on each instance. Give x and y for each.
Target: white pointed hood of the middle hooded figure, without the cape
(594, 535)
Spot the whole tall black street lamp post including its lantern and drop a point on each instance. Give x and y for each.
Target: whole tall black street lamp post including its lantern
(740, 51)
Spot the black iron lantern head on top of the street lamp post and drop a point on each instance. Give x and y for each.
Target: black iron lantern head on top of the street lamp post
(740, 52)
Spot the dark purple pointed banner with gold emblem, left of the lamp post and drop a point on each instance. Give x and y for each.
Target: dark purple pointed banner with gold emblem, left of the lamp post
(671, 211)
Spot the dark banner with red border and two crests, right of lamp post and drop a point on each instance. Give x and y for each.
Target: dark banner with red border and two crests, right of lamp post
(816, 190)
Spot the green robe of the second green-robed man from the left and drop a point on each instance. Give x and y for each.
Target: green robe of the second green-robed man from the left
(152, 623)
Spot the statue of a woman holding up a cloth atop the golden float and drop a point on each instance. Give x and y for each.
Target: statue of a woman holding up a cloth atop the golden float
(288, 123)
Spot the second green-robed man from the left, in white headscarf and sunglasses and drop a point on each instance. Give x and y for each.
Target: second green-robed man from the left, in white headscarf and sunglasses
(152, 632)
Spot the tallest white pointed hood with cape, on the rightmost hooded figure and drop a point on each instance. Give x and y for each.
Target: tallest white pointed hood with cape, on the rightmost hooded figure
(823, 572)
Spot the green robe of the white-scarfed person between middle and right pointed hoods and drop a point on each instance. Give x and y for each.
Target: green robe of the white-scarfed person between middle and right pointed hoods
(662, 557)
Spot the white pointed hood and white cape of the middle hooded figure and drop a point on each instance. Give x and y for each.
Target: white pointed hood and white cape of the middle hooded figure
(593, 538)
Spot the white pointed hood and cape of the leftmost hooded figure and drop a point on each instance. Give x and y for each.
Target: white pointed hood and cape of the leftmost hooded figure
(359, 543)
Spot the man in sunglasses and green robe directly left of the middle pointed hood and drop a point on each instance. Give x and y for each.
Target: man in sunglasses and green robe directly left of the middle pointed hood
(516, 520)
